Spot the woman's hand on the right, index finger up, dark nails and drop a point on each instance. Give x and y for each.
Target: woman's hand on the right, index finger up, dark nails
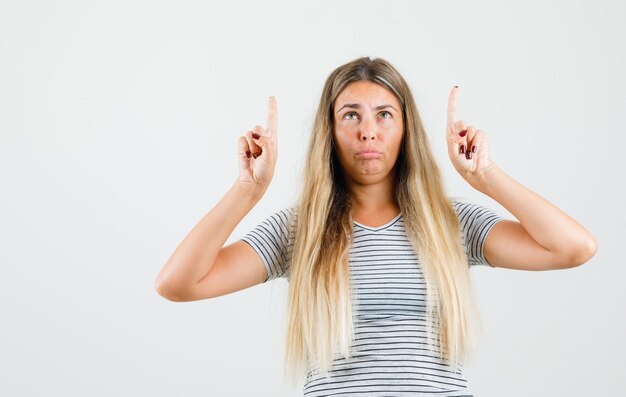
(467, 146)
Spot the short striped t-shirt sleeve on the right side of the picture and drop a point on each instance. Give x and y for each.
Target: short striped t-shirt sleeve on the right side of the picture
(476, 222)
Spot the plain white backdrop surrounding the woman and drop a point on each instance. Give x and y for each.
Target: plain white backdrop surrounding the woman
(119, 123)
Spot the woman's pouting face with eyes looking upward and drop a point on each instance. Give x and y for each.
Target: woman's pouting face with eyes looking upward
(367, 117)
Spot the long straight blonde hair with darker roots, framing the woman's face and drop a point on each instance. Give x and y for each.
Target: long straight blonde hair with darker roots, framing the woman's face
(321, 306)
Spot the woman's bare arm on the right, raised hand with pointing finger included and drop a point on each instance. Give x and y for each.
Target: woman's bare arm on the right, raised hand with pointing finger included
(545, 238)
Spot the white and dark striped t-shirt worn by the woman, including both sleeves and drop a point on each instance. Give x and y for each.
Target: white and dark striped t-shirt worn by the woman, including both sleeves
(391, 357)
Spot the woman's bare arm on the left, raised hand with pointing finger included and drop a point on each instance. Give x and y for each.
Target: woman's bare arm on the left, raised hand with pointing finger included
(185, 276)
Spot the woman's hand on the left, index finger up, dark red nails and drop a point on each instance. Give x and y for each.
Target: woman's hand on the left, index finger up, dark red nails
(258, 151)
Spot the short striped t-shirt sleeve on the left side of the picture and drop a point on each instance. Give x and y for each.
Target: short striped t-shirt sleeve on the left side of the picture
(273, 240)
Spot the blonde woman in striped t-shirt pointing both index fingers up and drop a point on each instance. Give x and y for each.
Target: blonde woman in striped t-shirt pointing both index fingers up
(377, 255)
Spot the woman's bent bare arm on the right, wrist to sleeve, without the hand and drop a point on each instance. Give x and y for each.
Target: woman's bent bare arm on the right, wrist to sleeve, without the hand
(545, 238)
